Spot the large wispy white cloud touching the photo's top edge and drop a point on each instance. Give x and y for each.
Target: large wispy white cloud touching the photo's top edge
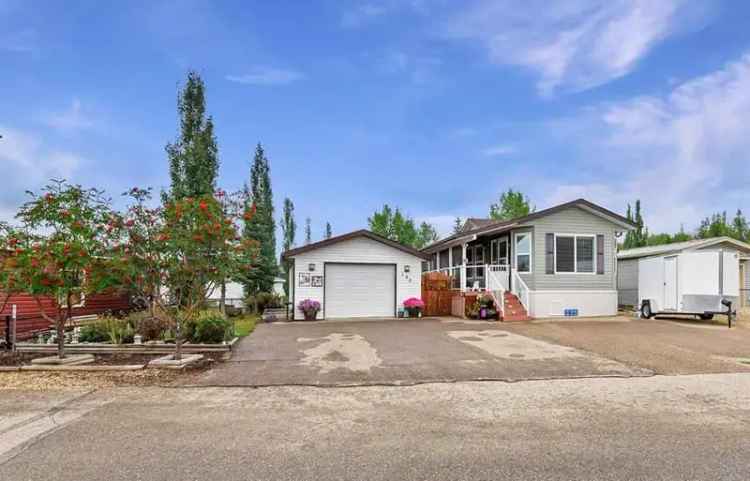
(572, 45)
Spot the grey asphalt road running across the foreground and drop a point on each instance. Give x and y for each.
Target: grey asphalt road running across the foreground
(655, 428)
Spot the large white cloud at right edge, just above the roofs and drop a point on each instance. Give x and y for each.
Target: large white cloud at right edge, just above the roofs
(685, 154)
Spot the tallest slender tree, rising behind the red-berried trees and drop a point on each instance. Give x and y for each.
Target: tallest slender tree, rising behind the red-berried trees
(193, 157)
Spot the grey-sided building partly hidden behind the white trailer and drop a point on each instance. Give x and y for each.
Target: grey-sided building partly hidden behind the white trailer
(627, 271)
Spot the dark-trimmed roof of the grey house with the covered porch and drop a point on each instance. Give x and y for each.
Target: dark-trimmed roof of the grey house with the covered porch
(491, 226)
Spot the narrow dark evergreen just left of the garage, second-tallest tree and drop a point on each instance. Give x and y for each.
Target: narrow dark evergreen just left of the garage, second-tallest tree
(262, 226)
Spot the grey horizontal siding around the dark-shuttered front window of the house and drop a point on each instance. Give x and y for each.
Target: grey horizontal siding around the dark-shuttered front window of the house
(572, 221)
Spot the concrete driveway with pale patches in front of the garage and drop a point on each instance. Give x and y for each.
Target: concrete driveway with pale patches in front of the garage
(396, 352)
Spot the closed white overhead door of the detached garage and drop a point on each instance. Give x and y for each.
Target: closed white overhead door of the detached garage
(360, 290)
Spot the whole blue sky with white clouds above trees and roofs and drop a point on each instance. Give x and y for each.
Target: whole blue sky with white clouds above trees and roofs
(433, 106)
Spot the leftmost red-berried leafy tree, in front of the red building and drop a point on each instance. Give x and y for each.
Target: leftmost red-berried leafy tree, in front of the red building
(59, 251)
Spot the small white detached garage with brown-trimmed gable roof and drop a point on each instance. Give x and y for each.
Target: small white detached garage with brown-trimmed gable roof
(355, 275)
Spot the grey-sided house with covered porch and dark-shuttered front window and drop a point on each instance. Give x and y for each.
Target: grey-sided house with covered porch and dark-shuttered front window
(556, 262)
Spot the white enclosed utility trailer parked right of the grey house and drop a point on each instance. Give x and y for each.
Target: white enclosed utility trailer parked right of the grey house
(701, 283)
